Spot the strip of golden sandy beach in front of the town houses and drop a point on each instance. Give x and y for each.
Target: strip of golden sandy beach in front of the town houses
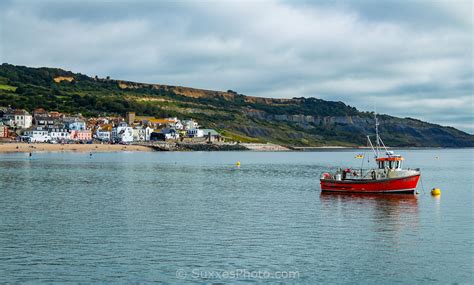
(34, 147)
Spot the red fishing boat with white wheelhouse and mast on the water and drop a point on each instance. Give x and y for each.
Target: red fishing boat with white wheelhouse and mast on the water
(387, 177)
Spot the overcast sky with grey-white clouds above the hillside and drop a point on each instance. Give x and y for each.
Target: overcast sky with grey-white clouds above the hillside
(409, 58)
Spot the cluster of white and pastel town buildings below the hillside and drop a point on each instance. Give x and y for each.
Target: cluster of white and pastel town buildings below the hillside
(42, 126)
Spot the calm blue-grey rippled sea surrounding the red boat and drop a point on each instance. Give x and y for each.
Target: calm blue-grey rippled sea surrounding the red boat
(194, 217)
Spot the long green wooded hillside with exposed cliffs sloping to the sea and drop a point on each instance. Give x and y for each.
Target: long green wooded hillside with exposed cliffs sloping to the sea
(295, 122)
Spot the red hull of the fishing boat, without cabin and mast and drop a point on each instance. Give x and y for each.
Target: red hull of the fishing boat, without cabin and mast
(390, 185)
